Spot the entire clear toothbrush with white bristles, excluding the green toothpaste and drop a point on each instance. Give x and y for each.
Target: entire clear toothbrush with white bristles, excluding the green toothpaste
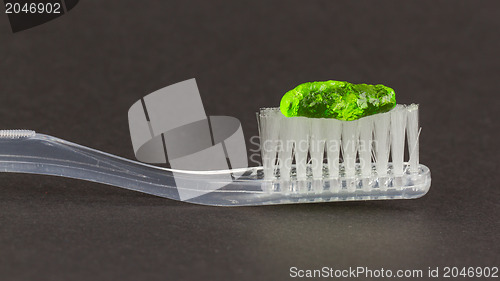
(287, 176)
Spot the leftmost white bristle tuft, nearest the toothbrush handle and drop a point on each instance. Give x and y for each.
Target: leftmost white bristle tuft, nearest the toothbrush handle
(269, 123)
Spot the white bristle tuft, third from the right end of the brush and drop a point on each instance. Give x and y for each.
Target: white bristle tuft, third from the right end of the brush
(381, 126)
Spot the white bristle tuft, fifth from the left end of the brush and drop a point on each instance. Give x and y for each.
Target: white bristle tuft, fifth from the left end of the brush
(333, 145)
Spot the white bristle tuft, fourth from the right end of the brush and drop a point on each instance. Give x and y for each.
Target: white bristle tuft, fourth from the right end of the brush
(365, 145)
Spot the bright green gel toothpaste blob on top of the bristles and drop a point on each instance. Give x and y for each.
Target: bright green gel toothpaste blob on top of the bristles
(337, 99)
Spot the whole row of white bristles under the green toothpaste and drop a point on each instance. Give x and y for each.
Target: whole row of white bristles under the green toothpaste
(296, 148)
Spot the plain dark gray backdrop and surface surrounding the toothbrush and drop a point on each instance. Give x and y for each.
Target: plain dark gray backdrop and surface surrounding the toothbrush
(75, 78)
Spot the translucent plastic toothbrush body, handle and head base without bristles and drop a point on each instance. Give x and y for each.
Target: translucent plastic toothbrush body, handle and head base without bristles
(27, 152)
